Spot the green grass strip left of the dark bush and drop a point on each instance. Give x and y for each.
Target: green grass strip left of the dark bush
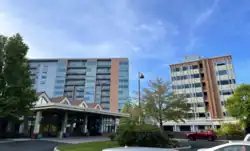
(91, 146)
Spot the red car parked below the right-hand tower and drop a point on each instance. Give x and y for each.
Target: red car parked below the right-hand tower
(209, 135)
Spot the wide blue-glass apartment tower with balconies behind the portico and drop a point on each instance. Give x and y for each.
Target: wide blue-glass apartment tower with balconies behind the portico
(105, 81)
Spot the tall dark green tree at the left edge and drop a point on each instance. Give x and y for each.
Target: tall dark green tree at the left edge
(17, 93)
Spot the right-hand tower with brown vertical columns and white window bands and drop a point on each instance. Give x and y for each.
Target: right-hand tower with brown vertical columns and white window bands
(206, 82)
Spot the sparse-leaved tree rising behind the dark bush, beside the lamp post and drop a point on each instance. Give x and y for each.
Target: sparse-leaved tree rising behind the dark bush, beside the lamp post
(163, 105)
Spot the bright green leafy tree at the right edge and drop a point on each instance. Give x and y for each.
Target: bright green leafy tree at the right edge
(238, 105)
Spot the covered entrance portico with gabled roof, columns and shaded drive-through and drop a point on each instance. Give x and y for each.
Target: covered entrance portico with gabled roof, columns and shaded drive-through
(59, 117)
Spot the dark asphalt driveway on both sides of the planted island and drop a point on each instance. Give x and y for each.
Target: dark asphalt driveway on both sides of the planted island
(43, 145)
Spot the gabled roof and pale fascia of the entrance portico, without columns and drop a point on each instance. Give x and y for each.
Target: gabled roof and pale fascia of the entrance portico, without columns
(62, 103)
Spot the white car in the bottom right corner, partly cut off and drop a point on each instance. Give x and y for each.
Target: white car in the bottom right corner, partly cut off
(232, 146)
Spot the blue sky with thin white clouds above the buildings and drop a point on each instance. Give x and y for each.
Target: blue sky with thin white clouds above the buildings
(151, 33)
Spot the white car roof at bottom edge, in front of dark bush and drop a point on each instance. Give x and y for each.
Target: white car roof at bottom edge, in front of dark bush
(138, 149)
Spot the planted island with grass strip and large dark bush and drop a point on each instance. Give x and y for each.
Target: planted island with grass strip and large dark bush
(131, 135)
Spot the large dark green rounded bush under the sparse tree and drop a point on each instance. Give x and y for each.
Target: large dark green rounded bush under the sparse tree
(142, 135)
